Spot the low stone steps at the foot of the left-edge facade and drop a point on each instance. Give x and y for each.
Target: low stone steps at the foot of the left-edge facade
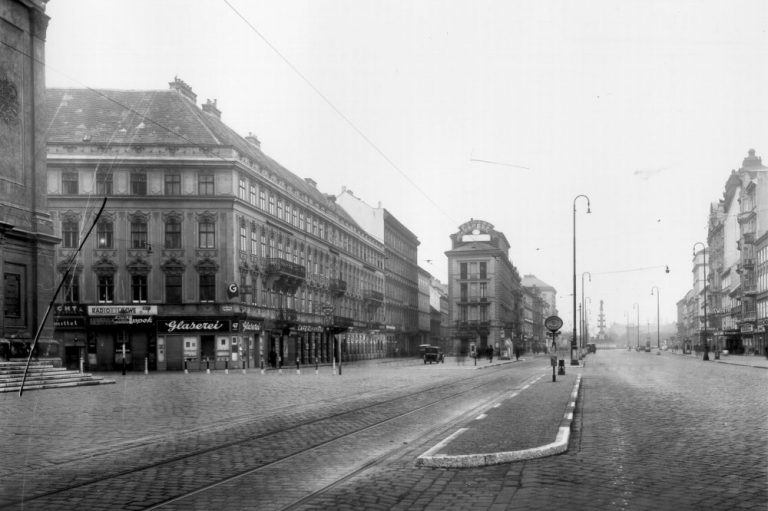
(43, 376)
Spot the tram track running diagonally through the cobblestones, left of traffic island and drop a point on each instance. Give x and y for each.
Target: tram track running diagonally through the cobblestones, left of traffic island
(255, 453)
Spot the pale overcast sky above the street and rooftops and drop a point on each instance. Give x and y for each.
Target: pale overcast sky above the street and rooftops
(644, 106)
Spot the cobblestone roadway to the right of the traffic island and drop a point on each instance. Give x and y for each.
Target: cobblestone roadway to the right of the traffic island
(651, 432)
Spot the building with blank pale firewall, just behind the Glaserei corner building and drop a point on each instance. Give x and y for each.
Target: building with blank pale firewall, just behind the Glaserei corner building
(401, 289)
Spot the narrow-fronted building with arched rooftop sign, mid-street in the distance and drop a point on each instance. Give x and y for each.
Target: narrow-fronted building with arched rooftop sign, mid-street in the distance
(484, 289)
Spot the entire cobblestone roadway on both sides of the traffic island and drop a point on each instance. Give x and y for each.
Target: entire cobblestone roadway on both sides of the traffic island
(650, 432)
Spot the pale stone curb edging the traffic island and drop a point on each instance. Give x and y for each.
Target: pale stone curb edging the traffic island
(560, 445)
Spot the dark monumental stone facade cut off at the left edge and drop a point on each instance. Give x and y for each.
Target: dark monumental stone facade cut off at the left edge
(26, 233)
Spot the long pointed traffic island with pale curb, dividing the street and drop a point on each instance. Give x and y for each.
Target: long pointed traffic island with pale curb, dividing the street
(531, 422)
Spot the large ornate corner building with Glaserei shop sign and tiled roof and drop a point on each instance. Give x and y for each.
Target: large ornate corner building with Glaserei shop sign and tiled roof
(209, 253)
